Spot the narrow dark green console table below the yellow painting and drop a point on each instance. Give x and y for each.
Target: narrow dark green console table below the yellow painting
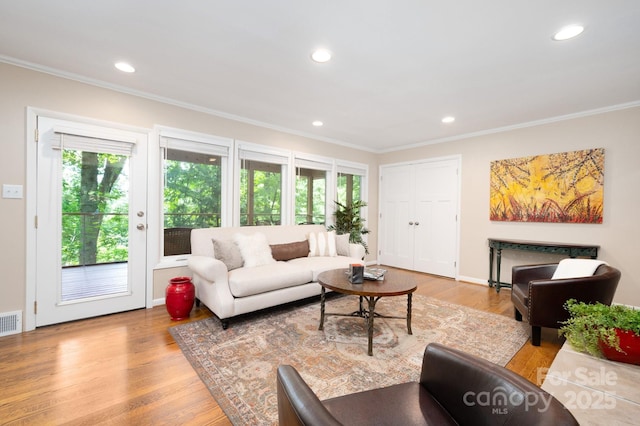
(497, 245)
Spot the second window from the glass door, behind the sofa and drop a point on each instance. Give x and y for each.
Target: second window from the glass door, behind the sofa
(262, 177)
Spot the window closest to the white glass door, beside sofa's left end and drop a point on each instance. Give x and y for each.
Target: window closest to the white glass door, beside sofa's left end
(194, 194)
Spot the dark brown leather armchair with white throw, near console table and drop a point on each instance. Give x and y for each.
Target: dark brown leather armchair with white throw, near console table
(540, 299)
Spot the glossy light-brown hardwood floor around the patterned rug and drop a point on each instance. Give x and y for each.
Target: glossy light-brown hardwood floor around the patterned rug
(126, 368)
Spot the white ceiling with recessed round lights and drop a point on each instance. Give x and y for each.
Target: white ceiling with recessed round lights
(398, 67)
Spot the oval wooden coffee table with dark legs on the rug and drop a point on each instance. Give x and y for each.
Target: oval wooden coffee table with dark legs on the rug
(395, 283)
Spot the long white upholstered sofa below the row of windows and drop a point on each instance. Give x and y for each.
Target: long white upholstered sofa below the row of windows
(228, 293)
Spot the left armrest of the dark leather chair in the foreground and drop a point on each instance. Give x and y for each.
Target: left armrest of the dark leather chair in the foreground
(297, 403)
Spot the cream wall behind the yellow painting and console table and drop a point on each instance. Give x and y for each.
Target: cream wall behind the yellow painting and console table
(617, 132)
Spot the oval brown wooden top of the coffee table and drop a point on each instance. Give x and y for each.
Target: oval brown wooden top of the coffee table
(395, 283)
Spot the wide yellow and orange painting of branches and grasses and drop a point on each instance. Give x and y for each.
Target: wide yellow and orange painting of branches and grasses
(563, 187)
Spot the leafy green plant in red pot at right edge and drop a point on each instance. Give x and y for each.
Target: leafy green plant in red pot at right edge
(606, 331)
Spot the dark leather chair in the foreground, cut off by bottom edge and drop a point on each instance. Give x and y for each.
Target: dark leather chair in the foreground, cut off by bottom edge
(454, 388)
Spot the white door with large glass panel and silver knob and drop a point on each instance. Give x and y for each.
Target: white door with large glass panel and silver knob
(91, 221)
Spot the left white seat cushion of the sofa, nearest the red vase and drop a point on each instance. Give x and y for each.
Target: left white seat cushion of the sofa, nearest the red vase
(260, 279)
